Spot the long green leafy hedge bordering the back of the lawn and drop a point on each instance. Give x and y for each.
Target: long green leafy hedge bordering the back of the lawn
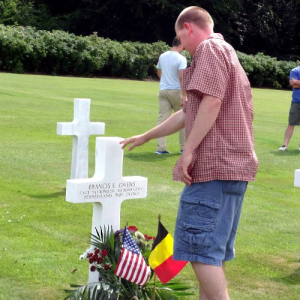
(24, 49)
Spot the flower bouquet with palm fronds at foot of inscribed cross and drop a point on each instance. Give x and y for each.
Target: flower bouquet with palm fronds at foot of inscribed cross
(104, 257)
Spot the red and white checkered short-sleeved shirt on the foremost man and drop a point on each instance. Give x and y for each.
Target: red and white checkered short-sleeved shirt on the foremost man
(227, 151)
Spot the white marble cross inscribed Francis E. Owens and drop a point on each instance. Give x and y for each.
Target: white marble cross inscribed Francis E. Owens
(107, 189)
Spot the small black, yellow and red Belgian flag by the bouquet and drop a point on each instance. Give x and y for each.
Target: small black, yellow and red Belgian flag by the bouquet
(161, 256)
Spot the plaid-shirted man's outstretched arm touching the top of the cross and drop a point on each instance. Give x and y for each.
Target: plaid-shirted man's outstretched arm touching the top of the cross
(170, 126)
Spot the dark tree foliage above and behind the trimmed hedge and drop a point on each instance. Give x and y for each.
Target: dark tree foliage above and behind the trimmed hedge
(251, 26)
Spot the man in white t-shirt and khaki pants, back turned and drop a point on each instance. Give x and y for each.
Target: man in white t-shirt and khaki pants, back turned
(171, 94)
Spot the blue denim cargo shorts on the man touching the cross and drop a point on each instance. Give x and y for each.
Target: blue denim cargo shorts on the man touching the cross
(207, 221)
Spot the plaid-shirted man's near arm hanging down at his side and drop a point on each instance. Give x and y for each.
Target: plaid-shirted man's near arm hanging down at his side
(206, 116)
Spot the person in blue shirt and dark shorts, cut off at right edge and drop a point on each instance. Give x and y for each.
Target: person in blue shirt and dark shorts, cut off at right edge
(294, 114)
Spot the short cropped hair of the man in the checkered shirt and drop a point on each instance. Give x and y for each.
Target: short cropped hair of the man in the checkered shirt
(196, 15)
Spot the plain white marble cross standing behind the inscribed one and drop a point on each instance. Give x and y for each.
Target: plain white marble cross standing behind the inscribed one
(81, 128)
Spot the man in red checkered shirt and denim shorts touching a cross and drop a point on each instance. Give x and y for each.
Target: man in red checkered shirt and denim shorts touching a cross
(218, 160)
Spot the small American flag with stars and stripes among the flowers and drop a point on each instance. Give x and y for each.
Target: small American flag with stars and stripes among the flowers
(131, 265)
